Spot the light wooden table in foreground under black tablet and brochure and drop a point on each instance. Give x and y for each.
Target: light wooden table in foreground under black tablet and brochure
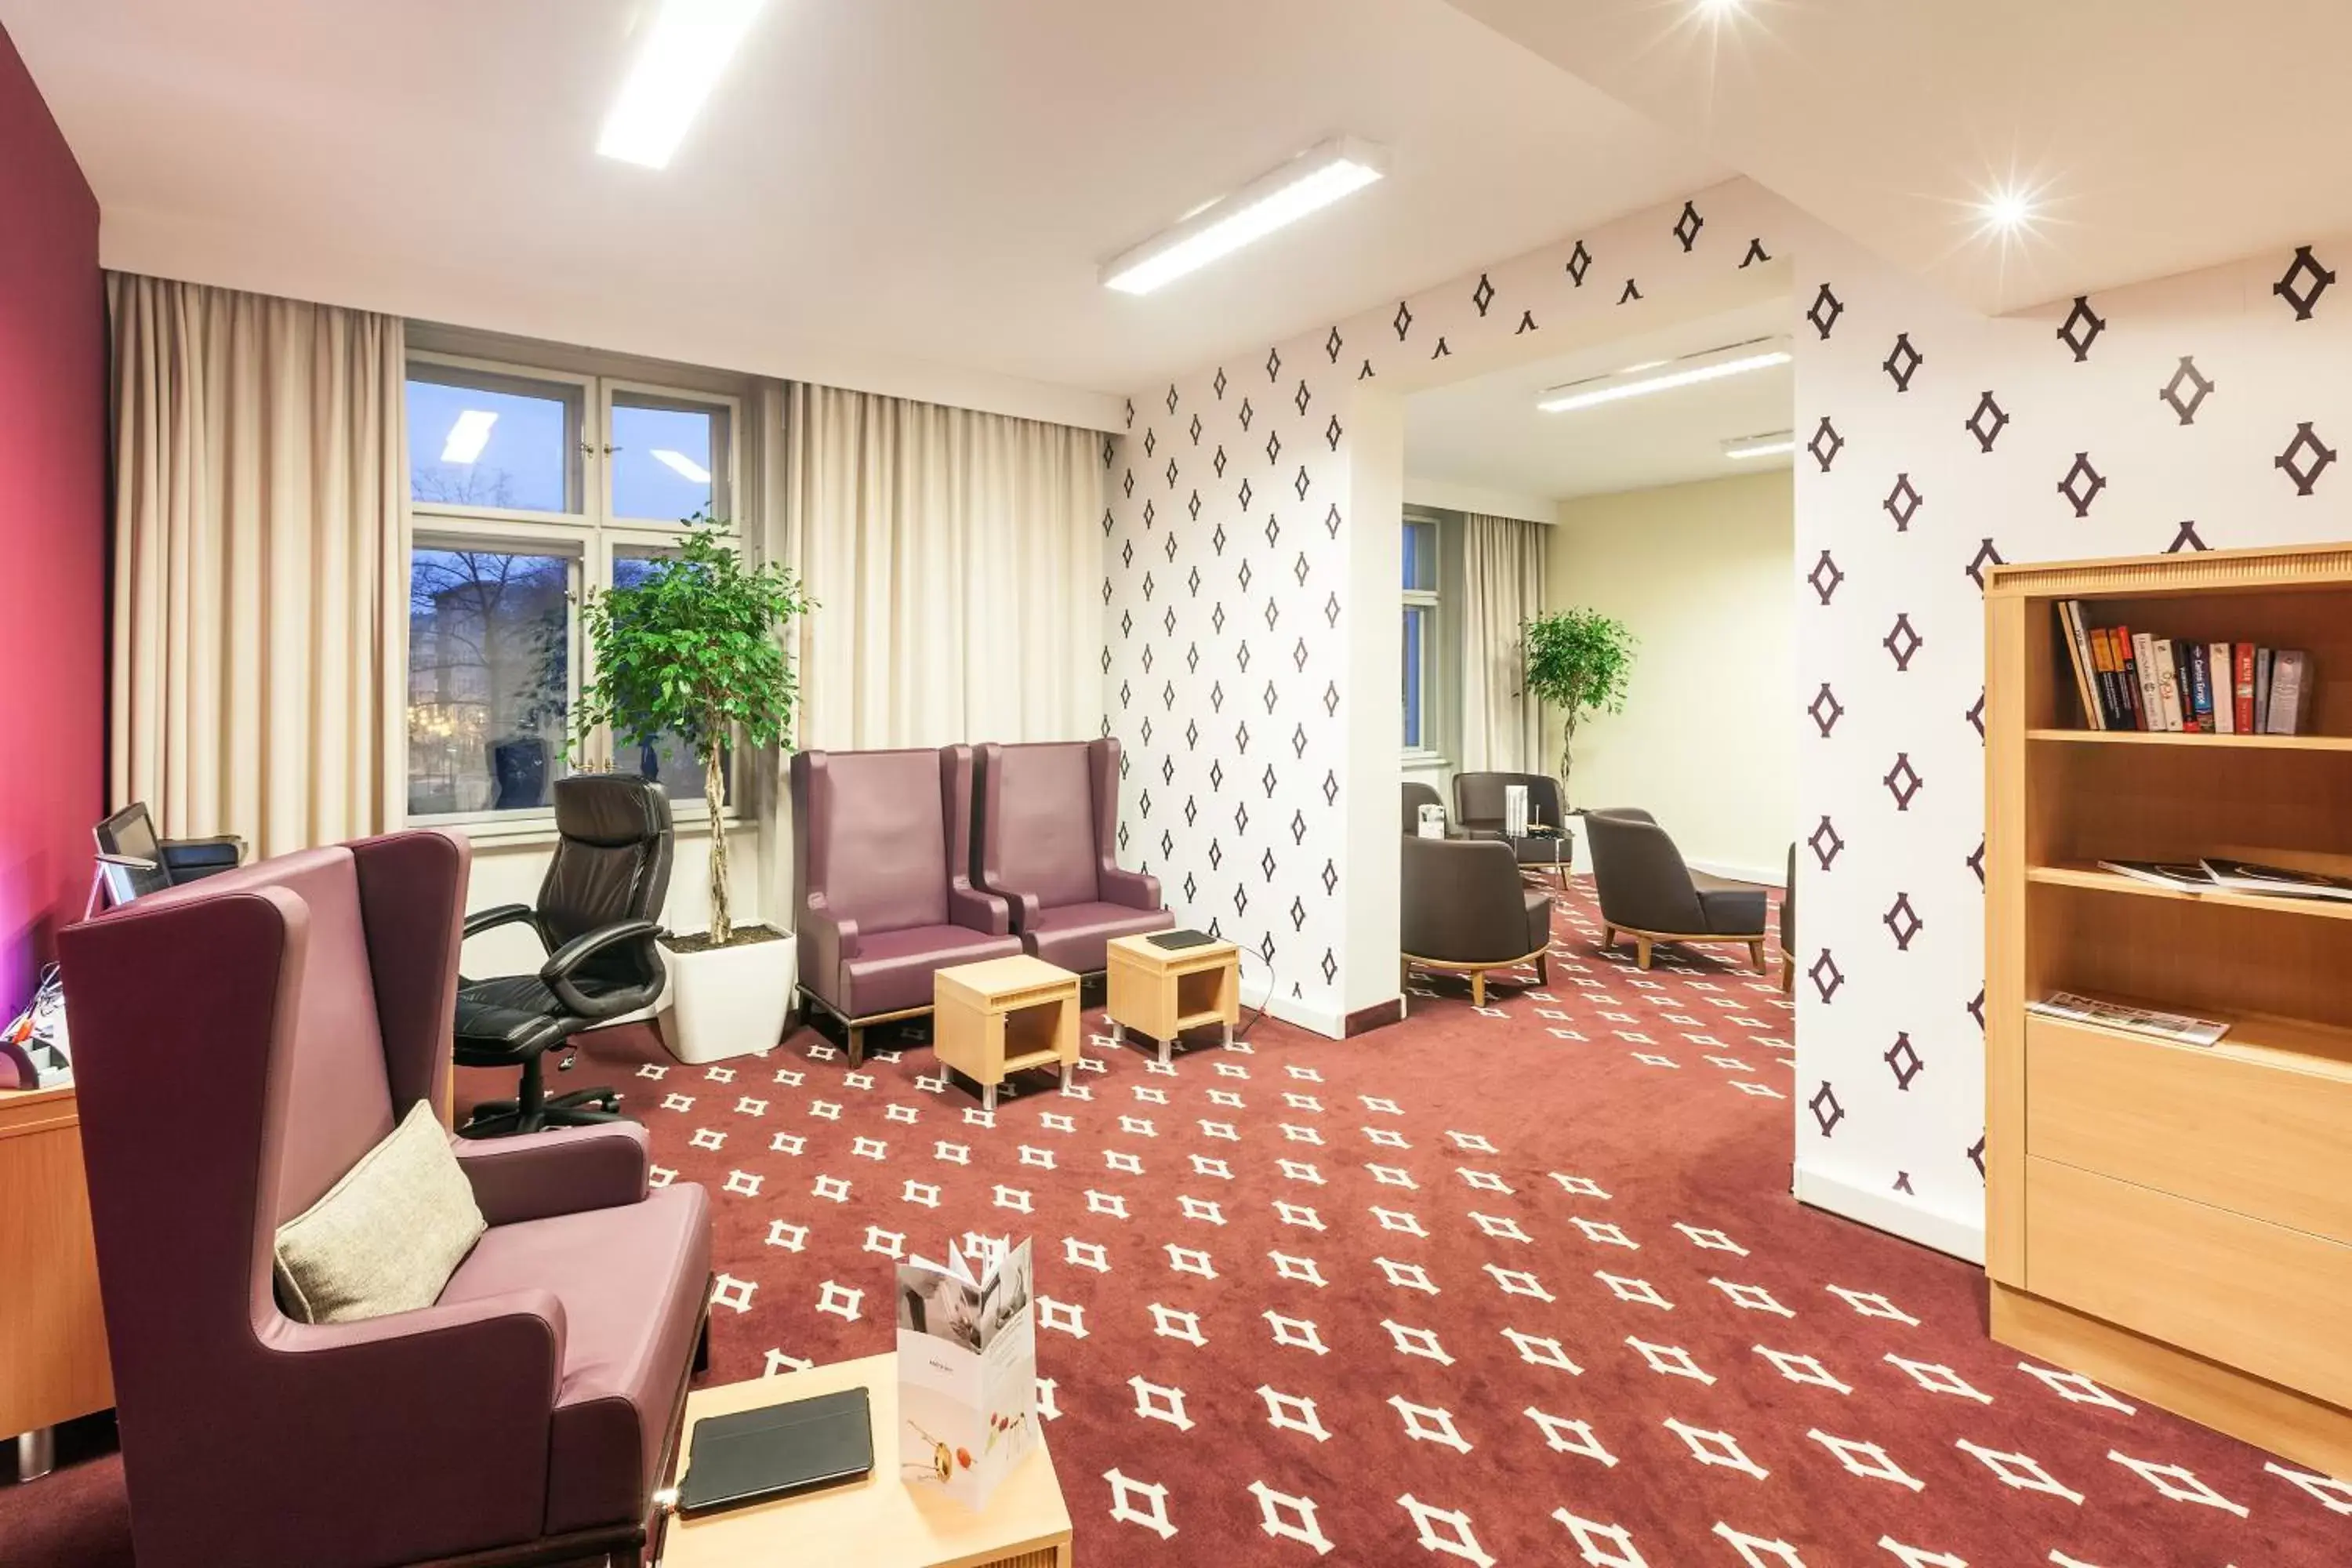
(878, 1522)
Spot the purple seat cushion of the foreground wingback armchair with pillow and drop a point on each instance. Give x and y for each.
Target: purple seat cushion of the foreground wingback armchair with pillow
(632, 1282)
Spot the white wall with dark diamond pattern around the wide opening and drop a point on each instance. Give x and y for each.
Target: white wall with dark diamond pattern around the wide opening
(2191, 413)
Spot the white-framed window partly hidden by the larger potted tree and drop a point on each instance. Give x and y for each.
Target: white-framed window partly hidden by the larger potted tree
(533, 488)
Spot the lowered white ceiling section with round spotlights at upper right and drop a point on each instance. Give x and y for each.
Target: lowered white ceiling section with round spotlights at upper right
(2165, 135)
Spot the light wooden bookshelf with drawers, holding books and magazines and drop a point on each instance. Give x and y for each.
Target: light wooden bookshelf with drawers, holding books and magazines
(2174, 1221)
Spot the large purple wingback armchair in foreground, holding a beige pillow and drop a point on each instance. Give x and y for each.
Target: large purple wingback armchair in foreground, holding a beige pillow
(241, 1043)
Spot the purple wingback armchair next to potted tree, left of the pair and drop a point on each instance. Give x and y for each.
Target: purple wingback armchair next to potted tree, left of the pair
(881, 880)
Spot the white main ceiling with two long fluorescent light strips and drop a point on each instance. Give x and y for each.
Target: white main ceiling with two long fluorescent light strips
(878, 189)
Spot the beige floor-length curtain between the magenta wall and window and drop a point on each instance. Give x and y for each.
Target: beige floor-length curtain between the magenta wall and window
(260, 563)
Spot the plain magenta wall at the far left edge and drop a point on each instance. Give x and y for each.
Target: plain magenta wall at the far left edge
(53, 530)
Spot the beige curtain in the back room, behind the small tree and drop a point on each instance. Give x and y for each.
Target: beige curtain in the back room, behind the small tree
(1502, 591)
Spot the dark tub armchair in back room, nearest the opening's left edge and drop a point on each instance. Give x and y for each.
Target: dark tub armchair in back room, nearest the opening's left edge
(1464, 909)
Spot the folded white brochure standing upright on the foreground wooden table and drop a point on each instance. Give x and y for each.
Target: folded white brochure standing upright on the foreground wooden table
(968, 1367)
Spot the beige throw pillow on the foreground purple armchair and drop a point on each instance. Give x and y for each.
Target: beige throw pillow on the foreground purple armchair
(387, 1238)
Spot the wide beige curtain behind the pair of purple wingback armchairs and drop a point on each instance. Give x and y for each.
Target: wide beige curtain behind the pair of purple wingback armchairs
(956, 558)
